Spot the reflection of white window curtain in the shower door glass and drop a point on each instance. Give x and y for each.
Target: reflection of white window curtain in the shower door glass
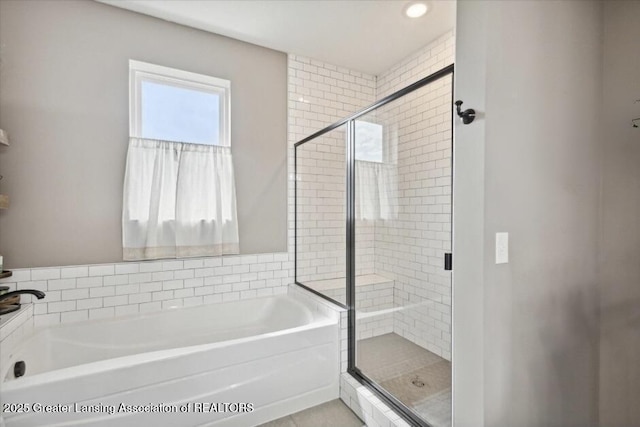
(376, 191)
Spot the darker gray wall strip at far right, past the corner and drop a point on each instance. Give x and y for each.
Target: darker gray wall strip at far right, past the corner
(620, 290)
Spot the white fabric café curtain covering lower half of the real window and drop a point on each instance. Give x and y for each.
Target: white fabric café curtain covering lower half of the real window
(179, 201)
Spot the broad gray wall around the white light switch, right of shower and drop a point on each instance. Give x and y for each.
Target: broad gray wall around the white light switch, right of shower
(541, 182)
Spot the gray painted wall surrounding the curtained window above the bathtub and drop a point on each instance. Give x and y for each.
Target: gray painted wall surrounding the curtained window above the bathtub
(64, 101)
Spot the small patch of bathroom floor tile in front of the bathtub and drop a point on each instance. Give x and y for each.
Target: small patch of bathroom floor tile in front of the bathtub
(330, 414)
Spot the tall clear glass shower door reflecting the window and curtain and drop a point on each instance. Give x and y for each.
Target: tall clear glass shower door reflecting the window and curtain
(402, 220)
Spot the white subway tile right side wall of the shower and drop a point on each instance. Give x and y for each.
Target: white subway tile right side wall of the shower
(410, 251)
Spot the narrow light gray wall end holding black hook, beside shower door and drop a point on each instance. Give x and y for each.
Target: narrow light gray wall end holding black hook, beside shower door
(468, 217)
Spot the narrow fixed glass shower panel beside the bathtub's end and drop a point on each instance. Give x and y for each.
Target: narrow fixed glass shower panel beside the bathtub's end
(320, 190)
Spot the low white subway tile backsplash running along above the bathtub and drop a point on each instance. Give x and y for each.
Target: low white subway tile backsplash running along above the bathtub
(108, 290)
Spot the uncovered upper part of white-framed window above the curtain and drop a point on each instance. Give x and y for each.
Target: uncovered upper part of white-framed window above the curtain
(173, 105)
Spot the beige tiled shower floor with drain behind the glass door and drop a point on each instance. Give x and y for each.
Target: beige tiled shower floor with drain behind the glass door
(417, 377)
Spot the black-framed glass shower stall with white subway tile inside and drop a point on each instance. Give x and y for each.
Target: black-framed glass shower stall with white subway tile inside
(373, 205)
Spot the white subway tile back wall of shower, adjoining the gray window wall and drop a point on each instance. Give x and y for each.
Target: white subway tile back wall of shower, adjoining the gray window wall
(319, 95)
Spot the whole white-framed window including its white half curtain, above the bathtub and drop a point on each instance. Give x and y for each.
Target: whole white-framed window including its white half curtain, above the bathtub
(179, 191)
